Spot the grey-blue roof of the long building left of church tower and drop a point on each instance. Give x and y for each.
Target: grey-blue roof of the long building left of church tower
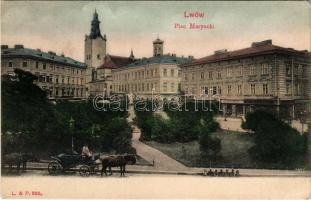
(38, 54)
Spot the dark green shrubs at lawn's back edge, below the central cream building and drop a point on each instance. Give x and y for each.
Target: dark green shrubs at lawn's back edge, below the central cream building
(181, 126)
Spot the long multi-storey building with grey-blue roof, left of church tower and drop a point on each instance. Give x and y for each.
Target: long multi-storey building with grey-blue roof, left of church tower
(60, 76)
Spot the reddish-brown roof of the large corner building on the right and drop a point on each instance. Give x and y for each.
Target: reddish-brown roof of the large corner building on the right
(260, 48)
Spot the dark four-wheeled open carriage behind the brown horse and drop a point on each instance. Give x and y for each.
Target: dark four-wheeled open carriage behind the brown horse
(64, 162)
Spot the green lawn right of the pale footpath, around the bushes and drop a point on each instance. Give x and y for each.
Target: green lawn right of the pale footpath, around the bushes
(234, 152)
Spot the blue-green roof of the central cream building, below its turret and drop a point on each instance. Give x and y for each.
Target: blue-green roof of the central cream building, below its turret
(167, 59)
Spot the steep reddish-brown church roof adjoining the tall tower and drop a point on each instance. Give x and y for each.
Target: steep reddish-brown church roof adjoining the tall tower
(113, 62)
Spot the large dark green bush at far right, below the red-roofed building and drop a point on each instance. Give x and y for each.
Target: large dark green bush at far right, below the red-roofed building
(275, 141)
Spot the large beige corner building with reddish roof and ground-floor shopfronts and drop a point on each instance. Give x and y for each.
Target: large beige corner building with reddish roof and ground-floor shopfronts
(261, 76)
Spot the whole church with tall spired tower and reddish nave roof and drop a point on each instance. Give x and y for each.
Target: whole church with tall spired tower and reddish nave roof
(99, 62)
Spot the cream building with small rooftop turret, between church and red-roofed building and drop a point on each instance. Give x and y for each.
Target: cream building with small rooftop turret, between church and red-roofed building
(157, 75)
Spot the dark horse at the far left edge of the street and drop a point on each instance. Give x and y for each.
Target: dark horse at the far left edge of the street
(18, 159)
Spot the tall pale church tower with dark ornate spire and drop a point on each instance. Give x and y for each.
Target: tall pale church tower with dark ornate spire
(94, 48)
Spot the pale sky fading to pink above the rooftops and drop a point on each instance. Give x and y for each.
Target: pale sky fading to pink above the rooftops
(61, 26)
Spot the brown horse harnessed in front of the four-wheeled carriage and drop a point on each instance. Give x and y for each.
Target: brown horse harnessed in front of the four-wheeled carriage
(117, 161)
